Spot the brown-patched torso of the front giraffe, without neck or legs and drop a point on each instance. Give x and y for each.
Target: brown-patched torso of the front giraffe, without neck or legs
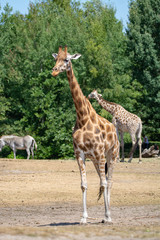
(94, 139)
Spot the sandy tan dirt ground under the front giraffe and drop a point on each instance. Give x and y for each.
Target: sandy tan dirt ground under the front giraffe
(42, 200)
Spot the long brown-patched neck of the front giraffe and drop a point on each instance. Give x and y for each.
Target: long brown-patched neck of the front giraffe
(80, 101)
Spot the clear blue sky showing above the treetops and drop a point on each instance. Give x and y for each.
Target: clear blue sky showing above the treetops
(121, 7)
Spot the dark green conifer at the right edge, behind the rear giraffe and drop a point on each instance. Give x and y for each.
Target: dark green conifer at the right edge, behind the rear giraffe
(144, 53)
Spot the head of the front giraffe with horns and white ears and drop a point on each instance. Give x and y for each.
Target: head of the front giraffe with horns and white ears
(63, 61)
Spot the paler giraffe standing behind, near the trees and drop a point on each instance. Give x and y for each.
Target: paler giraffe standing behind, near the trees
(124, 121)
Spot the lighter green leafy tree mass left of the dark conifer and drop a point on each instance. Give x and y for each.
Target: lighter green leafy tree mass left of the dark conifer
(35, 103)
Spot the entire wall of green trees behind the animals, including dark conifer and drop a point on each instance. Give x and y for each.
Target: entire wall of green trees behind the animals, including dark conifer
(123, 66)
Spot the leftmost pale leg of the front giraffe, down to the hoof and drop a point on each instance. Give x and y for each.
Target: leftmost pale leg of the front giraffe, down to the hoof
(81, 164)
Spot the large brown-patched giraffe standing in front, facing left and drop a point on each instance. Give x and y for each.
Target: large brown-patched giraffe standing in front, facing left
(93, 136)
